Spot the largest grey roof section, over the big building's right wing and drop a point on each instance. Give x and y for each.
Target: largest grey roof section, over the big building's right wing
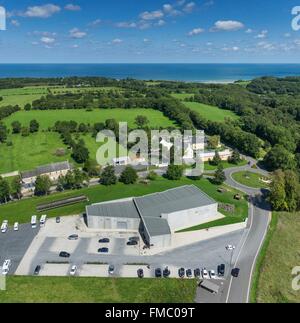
(173, 200)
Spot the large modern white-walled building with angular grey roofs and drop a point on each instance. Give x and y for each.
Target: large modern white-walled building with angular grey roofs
(156, 216)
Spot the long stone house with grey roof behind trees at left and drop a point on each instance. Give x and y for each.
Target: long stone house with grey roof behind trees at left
(54, 171)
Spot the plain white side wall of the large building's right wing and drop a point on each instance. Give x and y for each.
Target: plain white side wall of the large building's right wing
(188, 218)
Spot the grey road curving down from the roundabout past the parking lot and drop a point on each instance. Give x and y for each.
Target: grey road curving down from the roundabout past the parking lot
(237, 290)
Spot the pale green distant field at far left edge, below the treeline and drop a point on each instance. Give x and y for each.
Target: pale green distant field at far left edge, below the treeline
(22, 96)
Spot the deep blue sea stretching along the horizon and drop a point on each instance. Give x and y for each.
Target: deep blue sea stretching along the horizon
(219, 73)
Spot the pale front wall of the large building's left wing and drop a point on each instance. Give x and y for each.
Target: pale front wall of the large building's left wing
(111, 223)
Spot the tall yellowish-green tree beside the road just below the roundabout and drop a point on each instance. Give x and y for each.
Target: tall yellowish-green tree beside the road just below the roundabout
(277, 195)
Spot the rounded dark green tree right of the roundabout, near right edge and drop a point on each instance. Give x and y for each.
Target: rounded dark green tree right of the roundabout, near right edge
(279, 158)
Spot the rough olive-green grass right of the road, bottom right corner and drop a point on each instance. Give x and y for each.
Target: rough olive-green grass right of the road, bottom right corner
(274, 281)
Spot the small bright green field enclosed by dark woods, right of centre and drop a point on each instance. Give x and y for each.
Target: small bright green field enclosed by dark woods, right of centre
(210, 112)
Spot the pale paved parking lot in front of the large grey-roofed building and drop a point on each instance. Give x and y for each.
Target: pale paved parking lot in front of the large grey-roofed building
(53, 239)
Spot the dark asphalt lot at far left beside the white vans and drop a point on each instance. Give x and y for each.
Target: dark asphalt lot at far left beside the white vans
(14, 244)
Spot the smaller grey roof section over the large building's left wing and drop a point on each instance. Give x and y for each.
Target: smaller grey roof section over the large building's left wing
(124, 209)
